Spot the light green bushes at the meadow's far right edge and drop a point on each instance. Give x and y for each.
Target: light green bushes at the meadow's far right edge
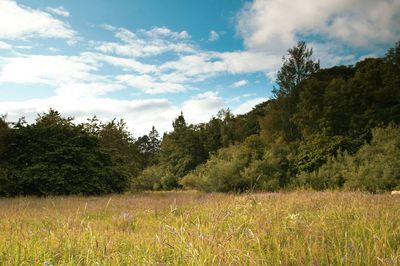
(375, 167)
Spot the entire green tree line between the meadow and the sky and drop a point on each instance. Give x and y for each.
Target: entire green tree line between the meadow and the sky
(335, 128)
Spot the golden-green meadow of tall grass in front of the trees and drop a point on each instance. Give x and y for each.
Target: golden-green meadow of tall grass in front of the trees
(190, 228)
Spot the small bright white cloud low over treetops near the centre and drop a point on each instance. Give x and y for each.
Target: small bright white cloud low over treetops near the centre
(202, 107)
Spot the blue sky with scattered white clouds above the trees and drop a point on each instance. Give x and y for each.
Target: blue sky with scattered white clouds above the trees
(145, 61)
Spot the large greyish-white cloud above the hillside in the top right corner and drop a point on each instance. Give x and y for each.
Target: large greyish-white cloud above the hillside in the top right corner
(275, 25)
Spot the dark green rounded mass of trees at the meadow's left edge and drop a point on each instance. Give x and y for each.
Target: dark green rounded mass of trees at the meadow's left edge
(55, 157)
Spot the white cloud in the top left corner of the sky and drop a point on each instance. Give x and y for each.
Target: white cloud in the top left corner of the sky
(20, 22)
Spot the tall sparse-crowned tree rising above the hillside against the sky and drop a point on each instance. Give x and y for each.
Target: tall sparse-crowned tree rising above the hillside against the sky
(297, 66)
